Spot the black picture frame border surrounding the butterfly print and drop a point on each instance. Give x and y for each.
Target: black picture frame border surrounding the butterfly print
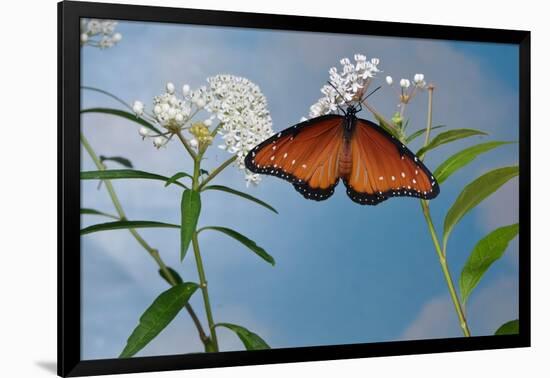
(69, 319)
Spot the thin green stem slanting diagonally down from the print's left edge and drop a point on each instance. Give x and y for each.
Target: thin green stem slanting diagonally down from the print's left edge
(152, 251)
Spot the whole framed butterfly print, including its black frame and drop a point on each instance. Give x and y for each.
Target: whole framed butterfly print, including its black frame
(240, 188)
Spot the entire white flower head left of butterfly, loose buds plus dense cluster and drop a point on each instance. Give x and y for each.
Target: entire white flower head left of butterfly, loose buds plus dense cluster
(237, 103)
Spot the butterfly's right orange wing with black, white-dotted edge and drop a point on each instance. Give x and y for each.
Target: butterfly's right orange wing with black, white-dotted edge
(383, 167)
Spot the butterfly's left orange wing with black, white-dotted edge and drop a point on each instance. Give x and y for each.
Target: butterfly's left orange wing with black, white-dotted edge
(305, 154)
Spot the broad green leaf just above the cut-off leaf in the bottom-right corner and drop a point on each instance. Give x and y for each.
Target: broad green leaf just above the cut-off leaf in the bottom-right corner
(485, 253)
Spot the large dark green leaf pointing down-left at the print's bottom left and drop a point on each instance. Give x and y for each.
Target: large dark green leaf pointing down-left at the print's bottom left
(161, 312)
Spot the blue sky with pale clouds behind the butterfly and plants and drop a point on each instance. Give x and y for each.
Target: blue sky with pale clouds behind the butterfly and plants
(345, 273)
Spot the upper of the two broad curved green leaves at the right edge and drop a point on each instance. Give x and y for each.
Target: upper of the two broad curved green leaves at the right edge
(473, 194)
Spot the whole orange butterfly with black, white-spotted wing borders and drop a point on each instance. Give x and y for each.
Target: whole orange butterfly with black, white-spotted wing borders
(314, 155)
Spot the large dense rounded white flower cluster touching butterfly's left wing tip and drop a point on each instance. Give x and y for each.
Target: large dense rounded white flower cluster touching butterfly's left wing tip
(242, 110)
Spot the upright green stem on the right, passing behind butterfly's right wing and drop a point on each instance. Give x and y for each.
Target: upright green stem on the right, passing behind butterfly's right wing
(440, 253)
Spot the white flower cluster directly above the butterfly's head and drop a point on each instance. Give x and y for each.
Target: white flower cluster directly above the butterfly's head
(347, 85)
